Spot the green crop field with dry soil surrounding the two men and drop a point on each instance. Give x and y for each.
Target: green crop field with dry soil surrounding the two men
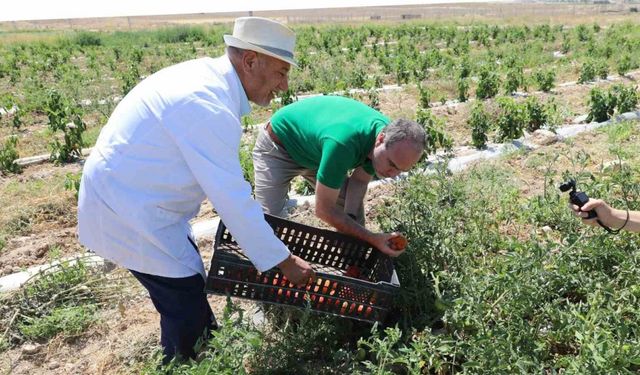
(499, 276)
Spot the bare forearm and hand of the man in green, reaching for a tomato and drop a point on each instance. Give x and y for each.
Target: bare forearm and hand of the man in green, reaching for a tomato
(328, 211)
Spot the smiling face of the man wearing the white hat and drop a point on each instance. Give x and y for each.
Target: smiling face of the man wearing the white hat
(268, 76)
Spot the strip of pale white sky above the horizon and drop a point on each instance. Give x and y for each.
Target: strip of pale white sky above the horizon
(55, 9)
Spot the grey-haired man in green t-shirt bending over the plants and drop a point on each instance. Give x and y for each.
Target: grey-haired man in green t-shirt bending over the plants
(324, 138)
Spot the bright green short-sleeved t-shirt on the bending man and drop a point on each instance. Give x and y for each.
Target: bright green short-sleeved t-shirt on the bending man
(330, 134)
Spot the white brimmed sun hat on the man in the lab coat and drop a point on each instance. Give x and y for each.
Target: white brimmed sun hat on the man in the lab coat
(264, 36)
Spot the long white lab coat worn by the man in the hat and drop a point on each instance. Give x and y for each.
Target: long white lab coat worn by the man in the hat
(170, 143)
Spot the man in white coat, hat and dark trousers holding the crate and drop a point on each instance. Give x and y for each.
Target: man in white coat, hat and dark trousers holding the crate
(169, 144)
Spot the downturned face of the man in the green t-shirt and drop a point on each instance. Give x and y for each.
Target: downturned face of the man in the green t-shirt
(393, 160)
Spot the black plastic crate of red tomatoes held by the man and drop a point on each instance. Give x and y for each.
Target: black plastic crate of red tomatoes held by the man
(367, 297)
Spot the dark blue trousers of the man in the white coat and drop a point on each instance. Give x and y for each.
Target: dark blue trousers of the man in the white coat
(185, 314)
